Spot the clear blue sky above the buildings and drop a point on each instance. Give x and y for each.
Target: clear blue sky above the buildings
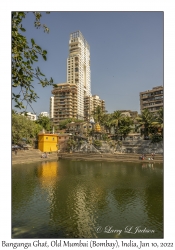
(126, 53)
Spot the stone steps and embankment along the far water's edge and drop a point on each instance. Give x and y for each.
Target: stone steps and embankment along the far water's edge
(34, 155)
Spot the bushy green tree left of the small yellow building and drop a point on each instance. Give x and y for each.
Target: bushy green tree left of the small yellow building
(22, 127)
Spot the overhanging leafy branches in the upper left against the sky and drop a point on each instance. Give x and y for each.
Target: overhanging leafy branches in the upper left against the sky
(24, 55)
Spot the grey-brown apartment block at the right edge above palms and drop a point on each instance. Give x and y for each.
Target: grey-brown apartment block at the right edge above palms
(152, 99)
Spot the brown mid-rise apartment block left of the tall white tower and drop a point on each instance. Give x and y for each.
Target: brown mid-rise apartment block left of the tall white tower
(65, 102)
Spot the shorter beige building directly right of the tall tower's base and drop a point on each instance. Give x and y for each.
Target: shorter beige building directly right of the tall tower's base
(90, 104)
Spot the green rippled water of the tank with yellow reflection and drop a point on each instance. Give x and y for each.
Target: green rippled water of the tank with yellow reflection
(86, 199)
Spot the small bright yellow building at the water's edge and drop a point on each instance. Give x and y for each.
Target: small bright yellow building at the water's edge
(47, 142)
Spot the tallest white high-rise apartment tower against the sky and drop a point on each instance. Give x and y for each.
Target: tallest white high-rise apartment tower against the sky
(78, 69)
